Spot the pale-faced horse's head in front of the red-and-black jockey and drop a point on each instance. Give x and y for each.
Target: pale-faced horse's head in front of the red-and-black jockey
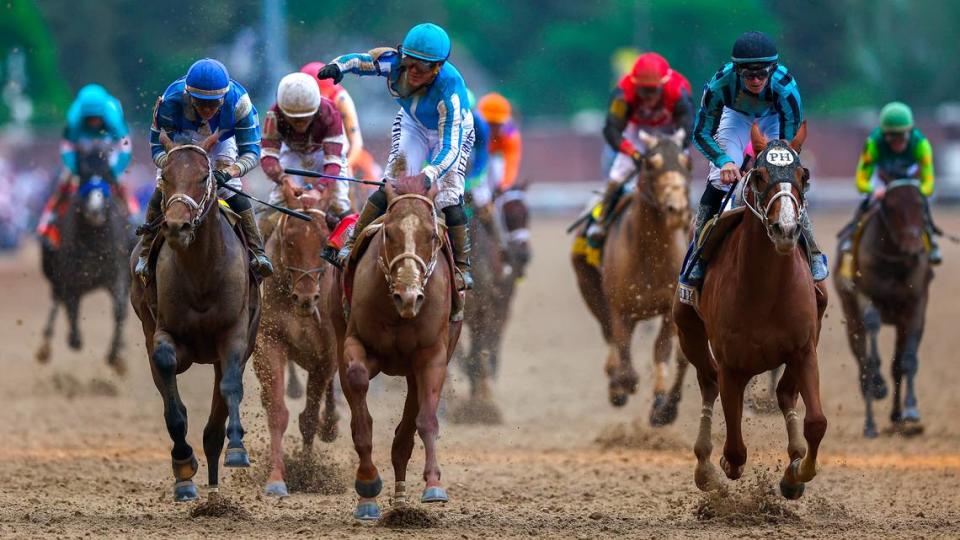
(665, 179)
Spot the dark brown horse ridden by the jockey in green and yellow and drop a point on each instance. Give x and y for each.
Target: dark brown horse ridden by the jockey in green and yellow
(888, 281)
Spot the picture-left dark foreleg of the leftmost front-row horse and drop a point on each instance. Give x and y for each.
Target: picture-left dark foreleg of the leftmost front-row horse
(163, 366)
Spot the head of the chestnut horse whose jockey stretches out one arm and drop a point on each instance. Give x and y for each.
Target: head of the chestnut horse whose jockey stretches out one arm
(410, 245)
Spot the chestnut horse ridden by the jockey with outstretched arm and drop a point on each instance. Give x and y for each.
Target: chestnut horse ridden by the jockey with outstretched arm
(399, 324)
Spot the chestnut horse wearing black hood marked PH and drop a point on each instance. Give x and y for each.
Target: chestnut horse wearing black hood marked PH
(759, 308)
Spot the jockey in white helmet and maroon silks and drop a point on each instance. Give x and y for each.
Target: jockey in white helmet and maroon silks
(303, 131)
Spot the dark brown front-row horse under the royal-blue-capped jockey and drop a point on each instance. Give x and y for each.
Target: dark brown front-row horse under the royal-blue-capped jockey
(203, 307)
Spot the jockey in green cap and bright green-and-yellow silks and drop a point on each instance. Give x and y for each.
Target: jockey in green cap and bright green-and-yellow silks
(895, 150)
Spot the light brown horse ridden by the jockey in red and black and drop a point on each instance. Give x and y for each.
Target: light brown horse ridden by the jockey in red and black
(641, 259)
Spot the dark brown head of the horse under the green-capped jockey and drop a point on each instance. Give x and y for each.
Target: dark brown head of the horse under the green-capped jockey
(902, 210)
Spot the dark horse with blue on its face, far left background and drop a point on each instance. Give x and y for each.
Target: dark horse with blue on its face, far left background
(96, 238)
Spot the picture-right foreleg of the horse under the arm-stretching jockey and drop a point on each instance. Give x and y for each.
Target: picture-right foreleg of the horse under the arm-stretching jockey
(430, 375)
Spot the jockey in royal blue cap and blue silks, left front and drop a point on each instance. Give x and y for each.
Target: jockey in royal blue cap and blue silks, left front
(193, 107)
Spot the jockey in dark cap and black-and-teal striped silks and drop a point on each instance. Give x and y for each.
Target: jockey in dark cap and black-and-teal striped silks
(751, 88)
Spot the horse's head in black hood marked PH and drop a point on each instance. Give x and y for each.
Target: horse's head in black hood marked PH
(774, 190)
